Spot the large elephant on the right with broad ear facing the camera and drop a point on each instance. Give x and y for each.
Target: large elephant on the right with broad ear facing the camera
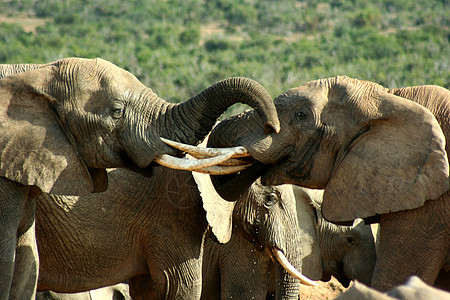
(377, 155)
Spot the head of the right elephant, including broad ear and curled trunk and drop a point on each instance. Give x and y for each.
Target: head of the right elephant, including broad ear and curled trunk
(373, 152)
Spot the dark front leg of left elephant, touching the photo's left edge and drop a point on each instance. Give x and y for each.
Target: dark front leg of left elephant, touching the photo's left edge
(12, 200)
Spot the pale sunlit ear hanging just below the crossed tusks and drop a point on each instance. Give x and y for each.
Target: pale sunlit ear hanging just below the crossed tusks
(219, 212)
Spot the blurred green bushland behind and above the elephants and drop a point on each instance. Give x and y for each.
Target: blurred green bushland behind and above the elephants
(179, 47)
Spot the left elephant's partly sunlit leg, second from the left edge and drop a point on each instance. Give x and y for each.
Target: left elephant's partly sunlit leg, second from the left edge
(27, 260)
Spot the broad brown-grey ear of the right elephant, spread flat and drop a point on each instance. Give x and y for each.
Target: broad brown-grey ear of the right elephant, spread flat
(396, 163)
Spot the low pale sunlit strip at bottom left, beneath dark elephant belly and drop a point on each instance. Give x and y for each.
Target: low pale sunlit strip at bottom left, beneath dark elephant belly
(115, 292)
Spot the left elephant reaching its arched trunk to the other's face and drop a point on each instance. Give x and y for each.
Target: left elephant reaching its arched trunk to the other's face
(64, 122)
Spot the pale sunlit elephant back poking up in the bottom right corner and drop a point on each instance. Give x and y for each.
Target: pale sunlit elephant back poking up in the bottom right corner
(413, 288)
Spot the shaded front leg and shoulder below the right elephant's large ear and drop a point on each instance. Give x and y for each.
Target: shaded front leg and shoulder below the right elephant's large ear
(411, 242)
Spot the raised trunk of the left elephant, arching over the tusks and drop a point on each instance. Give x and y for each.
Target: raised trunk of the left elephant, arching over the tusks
(191, 121)
